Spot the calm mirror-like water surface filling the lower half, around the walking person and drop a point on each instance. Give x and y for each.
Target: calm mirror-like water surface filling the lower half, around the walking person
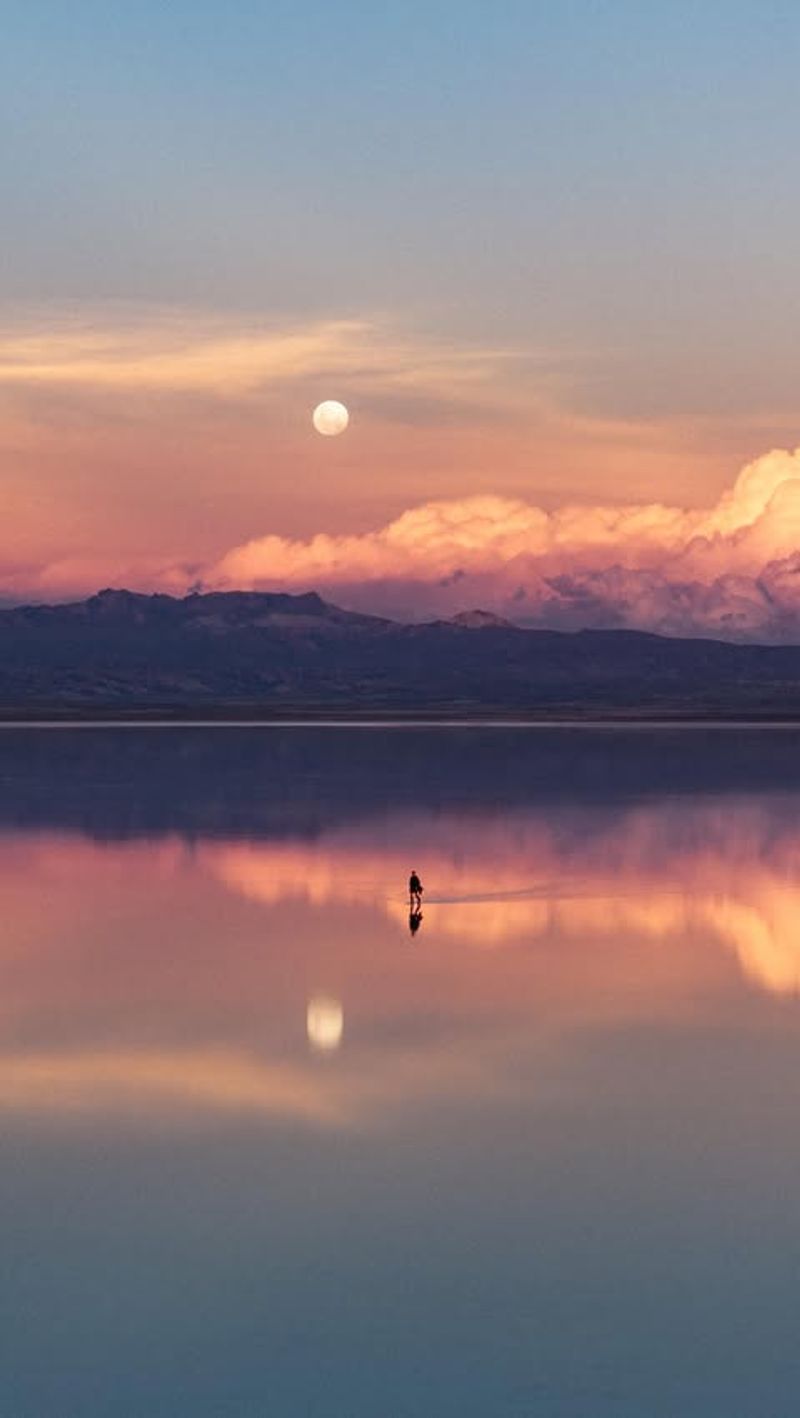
(267, 1152)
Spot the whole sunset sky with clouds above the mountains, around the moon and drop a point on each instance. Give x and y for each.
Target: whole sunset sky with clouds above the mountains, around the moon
(545, 253)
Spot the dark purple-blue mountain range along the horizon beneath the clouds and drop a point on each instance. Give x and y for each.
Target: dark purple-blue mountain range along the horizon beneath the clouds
(270, 656)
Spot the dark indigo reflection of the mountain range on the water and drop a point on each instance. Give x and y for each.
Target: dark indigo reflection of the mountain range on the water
(272, 782)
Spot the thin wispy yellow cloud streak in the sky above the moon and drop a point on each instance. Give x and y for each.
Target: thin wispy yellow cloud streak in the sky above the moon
(171, 352)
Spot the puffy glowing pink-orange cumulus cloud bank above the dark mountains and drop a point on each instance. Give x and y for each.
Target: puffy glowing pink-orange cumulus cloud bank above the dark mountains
(731, 571)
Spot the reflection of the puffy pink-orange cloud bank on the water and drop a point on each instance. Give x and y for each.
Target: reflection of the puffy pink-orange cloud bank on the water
(655, 871)
